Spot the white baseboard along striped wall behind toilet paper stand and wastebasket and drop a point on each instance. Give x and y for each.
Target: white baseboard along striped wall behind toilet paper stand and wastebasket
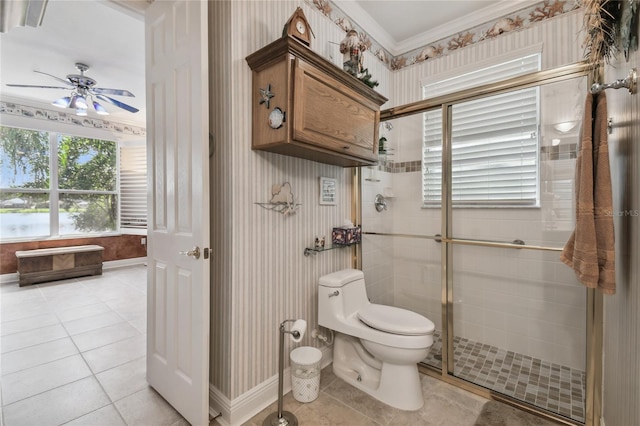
(241, 409)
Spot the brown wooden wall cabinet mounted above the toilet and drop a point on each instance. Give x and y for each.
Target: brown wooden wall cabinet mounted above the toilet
(329, 116)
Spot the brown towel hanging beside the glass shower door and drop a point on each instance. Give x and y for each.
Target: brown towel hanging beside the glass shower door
(590, 249)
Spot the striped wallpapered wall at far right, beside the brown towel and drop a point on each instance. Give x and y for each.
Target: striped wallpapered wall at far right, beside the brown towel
(621, 391)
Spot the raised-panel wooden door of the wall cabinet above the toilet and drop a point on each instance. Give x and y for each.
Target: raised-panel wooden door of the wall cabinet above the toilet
(329, 115)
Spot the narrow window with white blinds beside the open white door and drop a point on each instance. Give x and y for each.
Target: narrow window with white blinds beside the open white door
(133, 187)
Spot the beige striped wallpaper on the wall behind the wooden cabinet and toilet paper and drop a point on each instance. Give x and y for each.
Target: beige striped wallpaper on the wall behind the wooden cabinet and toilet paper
(260, 276)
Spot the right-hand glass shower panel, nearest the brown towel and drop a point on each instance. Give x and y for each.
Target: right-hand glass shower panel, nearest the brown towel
(517, 313)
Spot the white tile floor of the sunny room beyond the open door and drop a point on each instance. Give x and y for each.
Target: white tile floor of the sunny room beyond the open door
(73, 352)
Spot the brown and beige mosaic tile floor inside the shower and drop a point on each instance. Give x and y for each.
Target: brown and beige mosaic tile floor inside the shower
(553, 387)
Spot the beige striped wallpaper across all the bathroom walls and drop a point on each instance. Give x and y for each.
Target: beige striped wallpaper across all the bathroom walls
(259, 274)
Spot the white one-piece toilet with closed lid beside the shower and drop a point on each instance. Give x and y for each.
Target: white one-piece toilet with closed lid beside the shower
(376, 347)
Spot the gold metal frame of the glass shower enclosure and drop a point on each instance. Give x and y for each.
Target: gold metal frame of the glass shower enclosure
(593, 402)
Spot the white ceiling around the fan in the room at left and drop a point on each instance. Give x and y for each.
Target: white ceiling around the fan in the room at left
(100, 34)
